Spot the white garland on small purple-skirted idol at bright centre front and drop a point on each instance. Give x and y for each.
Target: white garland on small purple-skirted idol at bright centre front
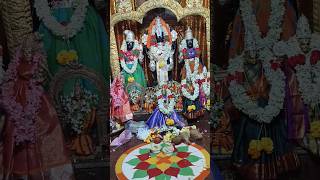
(166, 108)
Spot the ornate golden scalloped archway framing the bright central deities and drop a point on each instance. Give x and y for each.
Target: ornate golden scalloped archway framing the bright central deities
(127, 12)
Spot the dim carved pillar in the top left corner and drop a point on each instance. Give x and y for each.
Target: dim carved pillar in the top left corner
(17, 21)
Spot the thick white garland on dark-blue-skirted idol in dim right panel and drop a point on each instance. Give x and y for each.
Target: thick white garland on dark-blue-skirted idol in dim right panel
(243, 102)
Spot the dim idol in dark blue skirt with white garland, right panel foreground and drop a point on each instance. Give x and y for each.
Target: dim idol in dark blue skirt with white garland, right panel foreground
(257, 91)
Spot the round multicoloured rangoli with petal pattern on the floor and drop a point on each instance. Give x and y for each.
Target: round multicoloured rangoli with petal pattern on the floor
(187, 162)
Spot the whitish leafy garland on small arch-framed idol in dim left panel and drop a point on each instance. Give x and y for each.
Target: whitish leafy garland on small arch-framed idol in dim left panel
(77, 111)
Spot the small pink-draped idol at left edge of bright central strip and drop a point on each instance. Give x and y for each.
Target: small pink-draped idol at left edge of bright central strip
(120, 104)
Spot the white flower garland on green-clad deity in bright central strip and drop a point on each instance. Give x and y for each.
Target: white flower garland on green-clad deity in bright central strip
(135, 63)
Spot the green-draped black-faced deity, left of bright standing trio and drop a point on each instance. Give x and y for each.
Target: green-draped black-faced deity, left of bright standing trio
(131, 56)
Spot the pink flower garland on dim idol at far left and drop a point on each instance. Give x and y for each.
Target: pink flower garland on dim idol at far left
(23, 117)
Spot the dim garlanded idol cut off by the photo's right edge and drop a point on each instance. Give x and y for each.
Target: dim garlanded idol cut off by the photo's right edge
(303, 56)
